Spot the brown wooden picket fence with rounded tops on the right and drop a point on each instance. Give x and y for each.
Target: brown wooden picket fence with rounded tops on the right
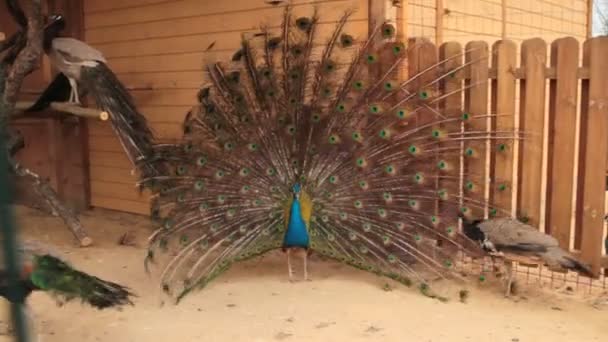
(560, 102)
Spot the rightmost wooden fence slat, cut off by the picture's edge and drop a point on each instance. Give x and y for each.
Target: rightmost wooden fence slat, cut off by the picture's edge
(594, 147)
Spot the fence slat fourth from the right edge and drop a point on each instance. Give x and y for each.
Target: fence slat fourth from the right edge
(503, 105)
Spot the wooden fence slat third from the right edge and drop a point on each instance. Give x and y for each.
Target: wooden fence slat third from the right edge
(532, 117)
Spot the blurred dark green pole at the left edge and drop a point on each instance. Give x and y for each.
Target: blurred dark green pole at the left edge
(7, 225)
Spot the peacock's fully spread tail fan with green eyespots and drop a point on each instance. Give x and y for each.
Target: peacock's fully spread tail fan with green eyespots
(368, 149)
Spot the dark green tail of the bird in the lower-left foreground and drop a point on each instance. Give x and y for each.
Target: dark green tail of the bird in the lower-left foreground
(53, 275)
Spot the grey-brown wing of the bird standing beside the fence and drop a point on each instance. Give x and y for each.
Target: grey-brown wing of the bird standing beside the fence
(507, 233)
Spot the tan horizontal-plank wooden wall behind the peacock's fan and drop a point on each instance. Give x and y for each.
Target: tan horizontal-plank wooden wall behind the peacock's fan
(156, 47)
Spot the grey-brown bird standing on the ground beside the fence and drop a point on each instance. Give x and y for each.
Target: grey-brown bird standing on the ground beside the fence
(510, 236)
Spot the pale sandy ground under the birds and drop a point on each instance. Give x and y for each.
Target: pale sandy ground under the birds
(255, 302)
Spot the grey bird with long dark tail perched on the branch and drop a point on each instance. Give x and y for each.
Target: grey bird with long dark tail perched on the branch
(85, 66)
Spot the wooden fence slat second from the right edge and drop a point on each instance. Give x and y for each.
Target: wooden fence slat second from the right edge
(562, 139)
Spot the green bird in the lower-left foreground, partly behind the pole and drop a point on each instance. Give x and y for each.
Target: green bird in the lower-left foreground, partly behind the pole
(43, 271)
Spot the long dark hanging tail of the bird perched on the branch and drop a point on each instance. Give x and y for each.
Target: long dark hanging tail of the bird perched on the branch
(131, 126)
